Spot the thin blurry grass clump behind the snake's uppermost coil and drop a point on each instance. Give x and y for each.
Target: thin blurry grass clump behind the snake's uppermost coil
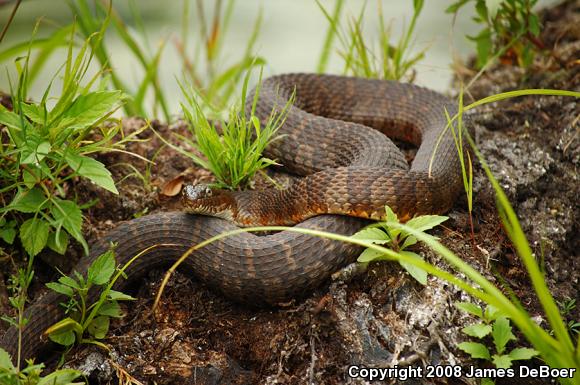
(382, 60)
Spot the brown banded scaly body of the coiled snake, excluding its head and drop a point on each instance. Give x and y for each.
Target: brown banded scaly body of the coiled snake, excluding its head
(363, 172)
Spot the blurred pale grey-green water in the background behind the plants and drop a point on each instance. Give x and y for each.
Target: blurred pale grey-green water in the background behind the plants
(291, 36)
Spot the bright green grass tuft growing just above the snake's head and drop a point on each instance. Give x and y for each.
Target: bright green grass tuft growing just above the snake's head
(235, 155)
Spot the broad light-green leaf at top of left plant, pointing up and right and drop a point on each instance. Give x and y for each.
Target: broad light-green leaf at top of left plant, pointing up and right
(88, 109)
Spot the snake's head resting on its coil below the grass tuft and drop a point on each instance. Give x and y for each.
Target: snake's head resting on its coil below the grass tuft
(207, 200)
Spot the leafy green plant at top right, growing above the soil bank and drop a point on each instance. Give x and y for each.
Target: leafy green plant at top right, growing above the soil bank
(509, 26)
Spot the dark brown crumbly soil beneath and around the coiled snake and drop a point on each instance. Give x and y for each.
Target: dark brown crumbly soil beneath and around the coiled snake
(382, 317)
